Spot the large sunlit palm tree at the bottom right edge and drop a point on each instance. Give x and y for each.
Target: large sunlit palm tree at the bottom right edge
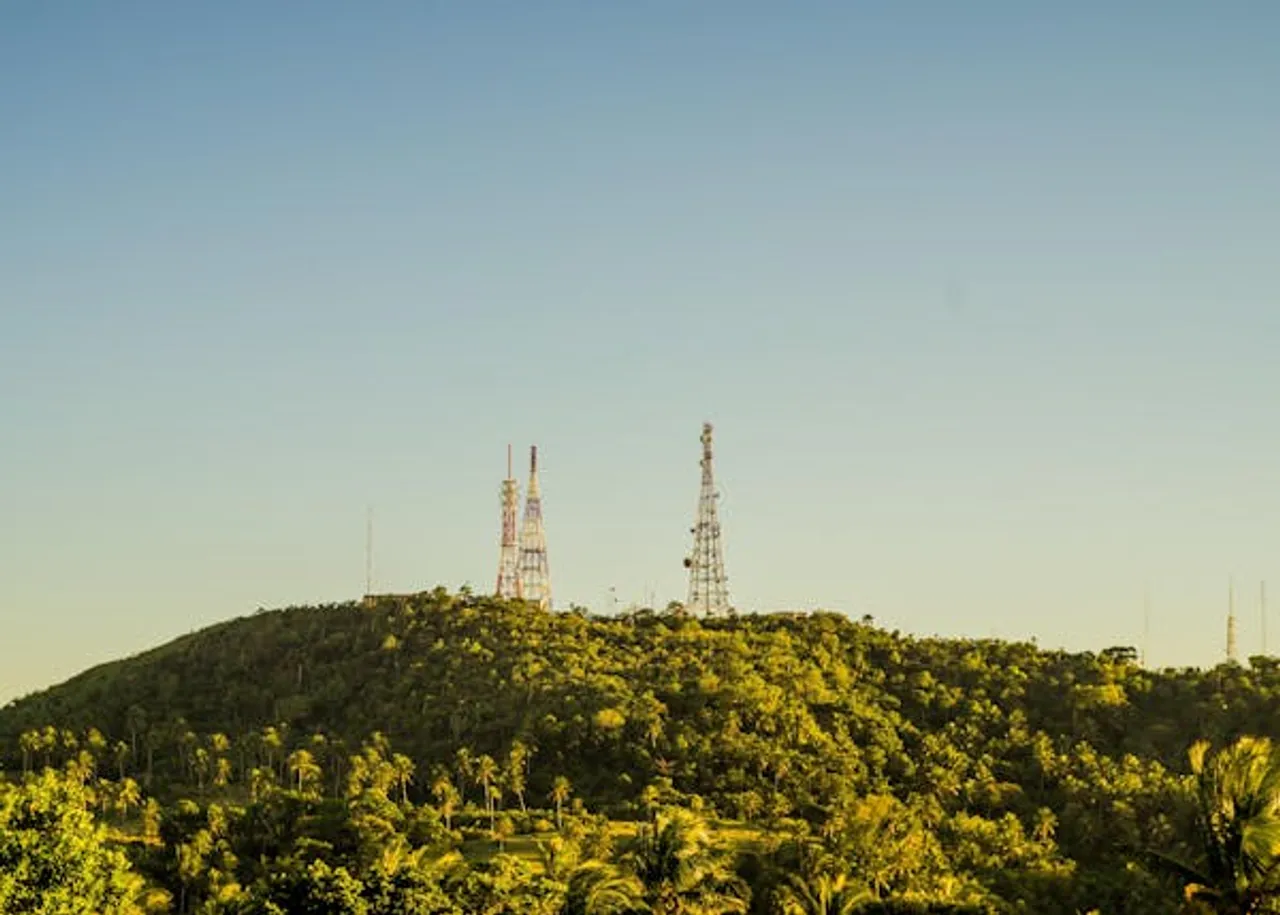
(1238, 820)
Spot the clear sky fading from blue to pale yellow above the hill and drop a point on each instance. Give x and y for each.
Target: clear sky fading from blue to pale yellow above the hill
(984, 299)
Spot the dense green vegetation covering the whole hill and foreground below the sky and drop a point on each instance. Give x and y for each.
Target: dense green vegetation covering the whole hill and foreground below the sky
(458, 754)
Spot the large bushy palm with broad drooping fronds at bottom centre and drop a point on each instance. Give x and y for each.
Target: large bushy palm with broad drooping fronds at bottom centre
(683, 870)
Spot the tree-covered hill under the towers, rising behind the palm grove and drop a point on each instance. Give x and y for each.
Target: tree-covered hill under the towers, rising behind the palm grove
(610, 699)
